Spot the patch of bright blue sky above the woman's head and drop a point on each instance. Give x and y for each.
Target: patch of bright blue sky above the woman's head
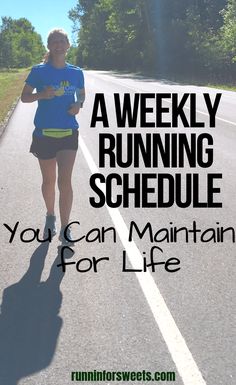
(44, 15)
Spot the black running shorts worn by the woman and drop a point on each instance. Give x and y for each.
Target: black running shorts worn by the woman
(46, 147)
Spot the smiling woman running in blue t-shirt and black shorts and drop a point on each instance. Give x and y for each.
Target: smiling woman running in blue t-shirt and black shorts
(60, 94)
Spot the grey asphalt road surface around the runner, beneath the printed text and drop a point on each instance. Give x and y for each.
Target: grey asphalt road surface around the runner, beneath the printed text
(53, 323)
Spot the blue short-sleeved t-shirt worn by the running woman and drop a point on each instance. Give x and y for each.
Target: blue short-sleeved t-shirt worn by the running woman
(53, 113)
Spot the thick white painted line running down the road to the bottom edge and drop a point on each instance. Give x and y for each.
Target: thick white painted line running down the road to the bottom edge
(181, 355)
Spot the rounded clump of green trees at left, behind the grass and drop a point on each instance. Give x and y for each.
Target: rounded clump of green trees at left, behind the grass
(20, 45)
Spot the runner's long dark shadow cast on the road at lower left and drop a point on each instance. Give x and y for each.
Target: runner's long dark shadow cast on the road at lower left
(29, 320)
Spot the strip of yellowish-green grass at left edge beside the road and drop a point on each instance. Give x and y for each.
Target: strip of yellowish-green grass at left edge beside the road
(12, 82)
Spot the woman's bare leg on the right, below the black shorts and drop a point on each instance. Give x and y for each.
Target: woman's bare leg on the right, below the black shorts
(65, 161)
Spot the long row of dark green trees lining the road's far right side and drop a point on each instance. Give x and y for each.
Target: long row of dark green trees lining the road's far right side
(191, 38)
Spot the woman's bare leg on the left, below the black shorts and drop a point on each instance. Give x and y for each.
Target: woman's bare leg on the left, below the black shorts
(48, 170)
